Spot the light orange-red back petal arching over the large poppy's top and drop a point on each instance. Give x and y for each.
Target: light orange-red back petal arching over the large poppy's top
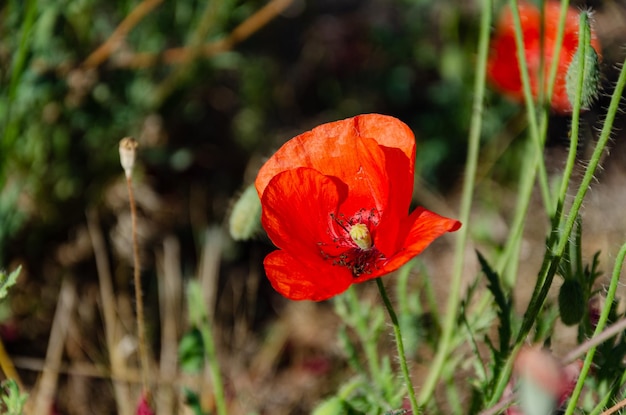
(329, 148)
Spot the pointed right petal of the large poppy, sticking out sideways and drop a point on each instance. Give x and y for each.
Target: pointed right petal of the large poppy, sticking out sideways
(422, 227)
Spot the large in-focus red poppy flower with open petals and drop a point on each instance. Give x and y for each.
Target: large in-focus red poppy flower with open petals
(335, 202)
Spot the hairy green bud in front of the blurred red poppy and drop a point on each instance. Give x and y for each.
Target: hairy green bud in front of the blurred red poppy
(586, 60)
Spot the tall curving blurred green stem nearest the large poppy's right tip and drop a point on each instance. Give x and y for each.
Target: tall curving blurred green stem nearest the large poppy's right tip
(466, 204)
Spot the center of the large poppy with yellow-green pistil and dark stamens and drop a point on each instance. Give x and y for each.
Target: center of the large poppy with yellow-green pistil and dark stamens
(353, 246)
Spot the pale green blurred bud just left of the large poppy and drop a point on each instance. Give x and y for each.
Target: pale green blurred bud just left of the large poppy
(245, 218)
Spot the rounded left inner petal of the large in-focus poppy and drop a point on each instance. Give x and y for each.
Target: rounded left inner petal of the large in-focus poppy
(297, 208)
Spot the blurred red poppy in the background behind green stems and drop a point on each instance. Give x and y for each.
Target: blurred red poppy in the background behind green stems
(503, 68)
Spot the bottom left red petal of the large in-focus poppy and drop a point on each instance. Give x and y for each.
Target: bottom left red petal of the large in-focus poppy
(299, 281)
